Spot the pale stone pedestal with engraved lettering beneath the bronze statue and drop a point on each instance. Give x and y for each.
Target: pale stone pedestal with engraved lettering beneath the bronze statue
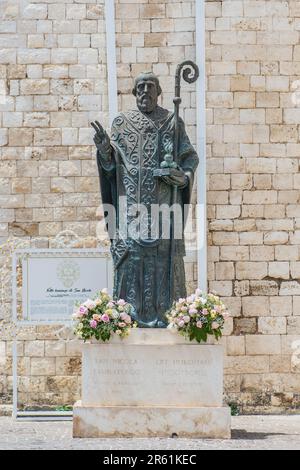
(152, 384)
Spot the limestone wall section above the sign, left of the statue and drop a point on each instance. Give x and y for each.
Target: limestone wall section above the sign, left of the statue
(53, 82)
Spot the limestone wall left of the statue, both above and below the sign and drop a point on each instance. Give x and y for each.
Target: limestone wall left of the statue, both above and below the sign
(52, 84)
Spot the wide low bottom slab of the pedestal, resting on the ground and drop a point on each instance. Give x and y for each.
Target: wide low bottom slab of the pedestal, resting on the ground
(104, 422)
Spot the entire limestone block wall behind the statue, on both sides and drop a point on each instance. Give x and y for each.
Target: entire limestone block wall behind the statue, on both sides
(53, 82)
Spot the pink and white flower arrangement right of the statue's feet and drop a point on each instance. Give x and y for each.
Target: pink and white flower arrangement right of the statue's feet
(198, 316)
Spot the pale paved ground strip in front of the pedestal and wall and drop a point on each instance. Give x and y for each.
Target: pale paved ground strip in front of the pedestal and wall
(248, 432)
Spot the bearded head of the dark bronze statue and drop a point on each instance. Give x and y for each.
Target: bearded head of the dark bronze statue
(146, 90)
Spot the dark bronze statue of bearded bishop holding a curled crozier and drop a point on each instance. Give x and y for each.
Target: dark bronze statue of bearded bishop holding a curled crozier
(148, 162)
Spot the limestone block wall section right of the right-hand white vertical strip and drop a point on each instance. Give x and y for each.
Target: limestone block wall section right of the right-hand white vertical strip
(253, 193)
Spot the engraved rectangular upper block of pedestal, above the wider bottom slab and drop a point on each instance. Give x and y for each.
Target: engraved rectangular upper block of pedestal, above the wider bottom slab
(150, 375)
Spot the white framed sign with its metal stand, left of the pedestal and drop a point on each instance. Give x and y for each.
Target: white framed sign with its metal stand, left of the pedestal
(46, 286)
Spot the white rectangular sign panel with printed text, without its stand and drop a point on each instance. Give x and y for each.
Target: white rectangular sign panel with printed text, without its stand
(53, 283)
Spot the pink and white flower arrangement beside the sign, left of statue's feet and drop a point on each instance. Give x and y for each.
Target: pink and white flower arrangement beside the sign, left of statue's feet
(102, 317)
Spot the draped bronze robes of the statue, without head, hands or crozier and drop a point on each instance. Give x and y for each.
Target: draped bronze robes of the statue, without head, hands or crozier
(142, 264)
